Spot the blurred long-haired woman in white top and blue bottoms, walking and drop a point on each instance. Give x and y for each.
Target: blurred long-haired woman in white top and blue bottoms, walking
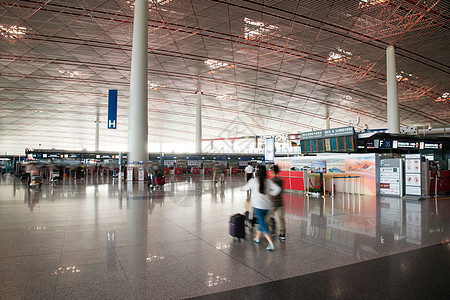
(261, 188)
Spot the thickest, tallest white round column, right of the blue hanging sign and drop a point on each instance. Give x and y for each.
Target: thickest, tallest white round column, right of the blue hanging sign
(138, 109)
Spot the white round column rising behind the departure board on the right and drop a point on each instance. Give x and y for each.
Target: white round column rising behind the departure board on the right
(392, 101)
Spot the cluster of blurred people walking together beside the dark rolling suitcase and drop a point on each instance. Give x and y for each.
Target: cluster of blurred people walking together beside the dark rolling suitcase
(266, 201)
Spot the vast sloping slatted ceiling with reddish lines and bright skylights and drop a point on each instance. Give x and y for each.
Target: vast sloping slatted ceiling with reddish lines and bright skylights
(264, 67)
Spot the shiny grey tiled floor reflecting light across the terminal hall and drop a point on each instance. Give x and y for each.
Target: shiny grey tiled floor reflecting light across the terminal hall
(98, 238)
